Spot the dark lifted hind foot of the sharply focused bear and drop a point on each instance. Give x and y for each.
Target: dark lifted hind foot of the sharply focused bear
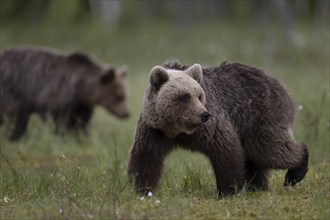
(295, 175)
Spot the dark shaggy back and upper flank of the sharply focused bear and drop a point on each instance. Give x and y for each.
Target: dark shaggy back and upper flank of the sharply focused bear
(247, 96)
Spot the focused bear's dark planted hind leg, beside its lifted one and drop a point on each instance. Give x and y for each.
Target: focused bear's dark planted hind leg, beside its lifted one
(256, 177)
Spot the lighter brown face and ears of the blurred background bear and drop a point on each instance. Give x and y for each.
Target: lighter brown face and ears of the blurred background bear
(111, 92)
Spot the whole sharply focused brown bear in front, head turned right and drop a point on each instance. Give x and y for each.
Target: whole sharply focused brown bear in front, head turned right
(240, 117)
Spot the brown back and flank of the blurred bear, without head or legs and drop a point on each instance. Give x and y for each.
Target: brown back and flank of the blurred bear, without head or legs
(31, 76)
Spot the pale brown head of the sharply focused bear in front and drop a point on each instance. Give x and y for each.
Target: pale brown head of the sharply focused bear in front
(175, 101)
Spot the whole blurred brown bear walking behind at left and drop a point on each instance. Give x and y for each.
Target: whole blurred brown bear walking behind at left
(68, 86)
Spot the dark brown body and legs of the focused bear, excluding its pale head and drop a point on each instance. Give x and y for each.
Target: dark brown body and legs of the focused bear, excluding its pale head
(248, 135)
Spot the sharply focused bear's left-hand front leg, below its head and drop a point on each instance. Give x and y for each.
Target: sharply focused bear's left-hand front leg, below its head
(147, 155)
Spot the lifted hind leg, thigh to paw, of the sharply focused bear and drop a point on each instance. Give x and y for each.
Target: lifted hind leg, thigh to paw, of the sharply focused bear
(276, 148)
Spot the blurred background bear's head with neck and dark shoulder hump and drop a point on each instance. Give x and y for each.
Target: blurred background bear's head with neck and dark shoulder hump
(101, 84)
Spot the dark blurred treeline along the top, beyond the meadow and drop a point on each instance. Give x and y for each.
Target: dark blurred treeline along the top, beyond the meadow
(183, 13)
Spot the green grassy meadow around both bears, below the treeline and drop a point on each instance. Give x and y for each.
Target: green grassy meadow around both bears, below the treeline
(45, 176)
